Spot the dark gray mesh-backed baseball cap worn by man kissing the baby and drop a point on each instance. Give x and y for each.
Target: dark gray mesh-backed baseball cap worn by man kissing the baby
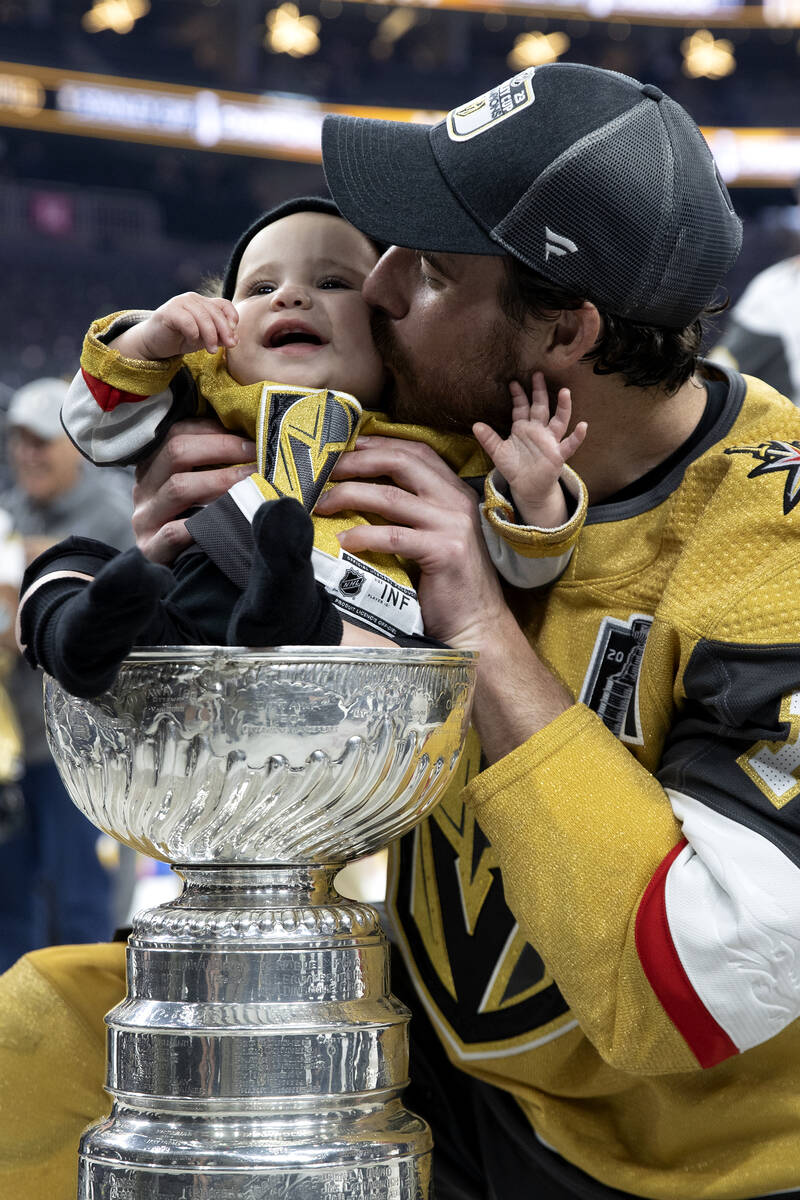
(599, 183)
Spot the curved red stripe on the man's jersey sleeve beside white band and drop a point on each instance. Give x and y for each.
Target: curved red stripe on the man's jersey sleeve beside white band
(708, 1041)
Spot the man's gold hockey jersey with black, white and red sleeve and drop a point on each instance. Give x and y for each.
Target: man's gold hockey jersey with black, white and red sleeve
(606, 923)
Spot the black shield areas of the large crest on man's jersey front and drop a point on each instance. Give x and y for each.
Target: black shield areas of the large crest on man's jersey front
(474, 957)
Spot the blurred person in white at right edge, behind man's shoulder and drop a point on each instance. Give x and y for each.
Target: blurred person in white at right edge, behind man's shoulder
(763, 333)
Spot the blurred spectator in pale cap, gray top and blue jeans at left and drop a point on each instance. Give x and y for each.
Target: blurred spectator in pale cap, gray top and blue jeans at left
(53, 887)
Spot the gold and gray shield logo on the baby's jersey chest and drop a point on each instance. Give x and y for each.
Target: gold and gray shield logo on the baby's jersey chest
(300, 436)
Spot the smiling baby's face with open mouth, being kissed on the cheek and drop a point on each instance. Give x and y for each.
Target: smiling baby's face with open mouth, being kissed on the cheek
(302, 317)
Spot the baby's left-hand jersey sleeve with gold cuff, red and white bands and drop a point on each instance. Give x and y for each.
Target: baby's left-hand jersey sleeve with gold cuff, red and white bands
(119, 410)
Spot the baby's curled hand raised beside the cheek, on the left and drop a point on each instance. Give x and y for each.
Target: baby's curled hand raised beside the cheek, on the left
(187, 323)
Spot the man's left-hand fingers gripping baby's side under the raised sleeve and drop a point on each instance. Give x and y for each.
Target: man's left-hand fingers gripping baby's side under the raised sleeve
(199, 463)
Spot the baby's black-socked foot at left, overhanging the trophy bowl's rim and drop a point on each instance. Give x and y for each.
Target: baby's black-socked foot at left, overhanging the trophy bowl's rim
(80, 633)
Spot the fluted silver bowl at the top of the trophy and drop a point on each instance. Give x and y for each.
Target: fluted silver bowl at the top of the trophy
(233, 757)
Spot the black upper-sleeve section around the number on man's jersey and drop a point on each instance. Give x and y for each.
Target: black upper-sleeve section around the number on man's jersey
(735, 700)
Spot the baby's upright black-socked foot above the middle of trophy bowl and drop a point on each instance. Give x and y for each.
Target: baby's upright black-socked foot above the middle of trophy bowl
(284, 604)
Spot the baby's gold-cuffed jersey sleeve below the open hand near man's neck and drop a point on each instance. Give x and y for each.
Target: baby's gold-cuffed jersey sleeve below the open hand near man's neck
(527, 556)
